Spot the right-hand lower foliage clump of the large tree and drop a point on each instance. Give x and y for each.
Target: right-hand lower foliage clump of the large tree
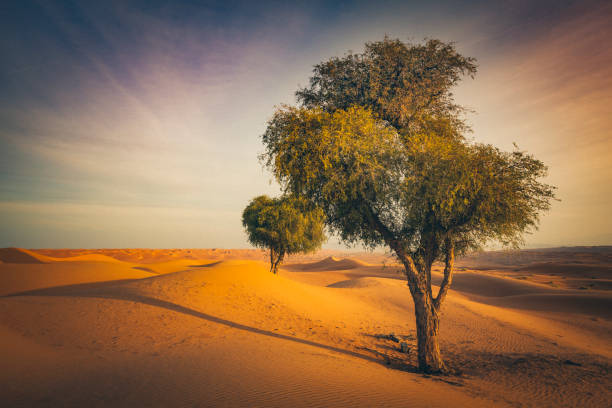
(470, 193)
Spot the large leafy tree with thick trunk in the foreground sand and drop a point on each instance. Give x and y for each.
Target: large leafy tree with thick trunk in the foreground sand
(378, 144)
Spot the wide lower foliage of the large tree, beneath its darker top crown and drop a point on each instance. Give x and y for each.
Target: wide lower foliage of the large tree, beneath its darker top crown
(375, 186)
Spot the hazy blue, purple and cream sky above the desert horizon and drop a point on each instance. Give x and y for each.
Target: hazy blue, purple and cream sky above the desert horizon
(138, 123)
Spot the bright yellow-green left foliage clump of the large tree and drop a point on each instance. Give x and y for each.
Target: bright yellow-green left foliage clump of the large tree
(340, 161)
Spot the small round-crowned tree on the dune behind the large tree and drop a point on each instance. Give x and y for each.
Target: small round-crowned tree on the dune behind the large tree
(285, 225)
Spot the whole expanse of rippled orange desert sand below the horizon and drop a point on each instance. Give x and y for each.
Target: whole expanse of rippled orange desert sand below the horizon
(190, 327)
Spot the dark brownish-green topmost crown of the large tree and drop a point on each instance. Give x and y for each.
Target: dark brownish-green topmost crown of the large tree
(407, 85)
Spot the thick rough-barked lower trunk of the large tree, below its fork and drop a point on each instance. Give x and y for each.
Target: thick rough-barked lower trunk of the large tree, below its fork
(428, 325)
